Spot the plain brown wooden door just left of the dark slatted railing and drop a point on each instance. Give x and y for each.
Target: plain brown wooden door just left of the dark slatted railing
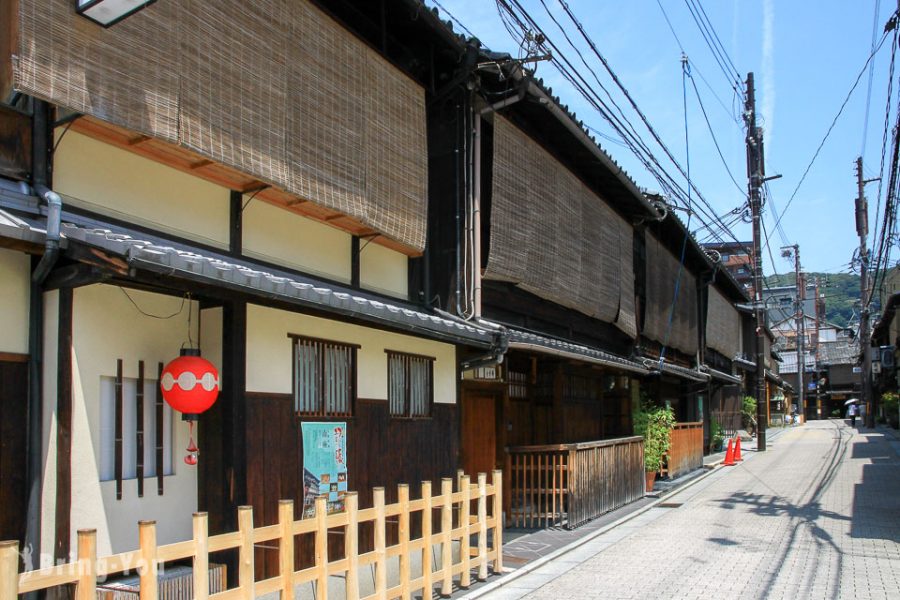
(478, 433)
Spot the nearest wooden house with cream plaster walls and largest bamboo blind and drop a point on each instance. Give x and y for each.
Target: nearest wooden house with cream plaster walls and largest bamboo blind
(249, 179)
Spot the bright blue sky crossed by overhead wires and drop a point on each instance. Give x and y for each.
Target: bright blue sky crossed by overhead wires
(805, 56)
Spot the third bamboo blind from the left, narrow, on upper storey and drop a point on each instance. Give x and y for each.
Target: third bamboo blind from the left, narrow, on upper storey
(663, 272)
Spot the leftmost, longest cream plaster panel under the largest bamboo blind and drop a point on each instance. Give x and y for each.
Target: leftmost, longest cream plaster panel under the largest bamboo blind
(123, 185)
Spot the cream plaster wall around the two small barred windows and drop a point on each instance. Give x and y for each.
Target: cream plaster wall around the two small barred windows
(269, 353)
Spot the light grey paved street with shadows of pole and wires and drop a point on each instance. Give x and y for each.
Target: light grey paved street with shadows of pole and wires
(818, 516)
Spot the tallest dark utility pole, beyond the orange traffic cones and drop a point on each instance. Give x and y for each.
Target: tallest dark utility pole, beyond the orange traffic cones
(755, 176)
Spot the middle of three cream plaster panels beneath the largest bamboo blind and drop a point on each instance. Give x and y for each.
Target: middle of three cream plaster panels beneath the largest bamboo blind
(279, 236)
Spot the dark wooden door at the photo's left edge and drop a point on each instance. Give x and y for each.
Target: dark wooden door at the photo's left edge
(13, 425)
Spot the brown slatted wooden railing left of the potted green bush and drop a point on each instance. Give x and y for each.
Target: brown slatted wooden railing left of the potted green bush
(570, 484)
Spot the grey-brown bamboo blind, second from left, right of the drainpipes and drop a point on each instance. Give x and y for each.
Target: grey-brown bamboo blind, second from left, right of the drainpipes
(554, 237)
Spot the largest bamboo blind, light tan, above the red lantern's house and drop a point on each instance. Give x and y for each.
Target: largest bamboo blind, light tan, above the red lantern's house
(273, 88)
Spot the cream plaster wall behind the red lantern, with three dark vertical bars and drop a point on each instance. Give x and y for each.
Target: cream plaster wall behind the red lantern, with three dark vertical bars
(107, 326)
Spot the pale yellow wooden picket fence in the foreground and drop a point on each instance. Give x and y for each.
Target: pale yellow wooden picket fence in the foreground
(457, 523)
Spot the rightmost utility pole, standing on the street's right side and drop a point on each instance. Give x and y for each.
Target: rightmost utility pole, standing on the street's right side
(862, 228)
